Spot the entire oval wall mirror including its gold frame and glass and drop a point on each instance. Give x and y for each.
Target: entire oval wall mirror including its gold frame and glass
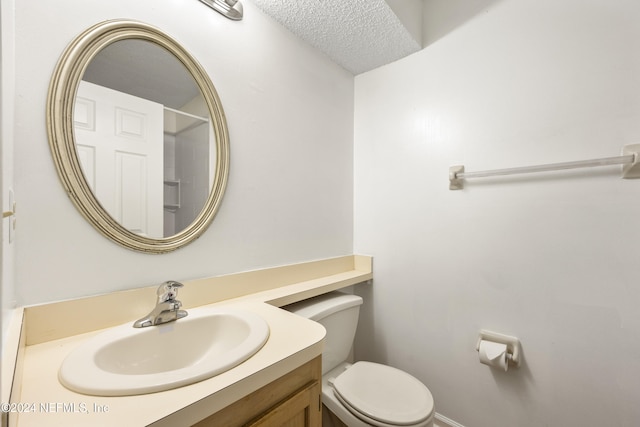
(138, 136)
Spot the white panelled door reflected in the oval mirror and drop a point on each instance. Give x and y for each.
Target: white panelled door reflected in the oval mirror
(119, 139)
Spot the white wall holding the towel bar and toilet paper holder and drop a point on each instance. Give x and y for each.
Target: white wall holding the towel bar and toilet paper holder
(551, 259)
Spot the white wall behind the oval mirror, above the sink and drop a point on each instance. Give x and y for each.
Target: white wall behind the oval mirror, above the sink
(290, 116)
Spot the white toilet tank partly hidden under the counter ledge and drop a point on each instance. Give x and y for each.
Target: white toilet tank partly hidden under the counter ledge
(338, 313)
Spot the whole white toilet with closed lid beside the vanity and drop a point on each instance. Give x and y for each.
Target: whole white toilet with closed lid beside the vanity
(362, 394)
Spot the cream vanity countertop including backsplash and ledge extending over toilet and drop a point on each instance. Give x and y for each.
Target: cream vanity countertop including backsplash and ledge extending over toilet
(51, 331)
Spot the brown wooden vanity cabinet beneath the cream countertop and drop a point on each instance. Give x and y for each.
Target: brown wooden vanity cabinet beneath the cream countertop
(293, 400)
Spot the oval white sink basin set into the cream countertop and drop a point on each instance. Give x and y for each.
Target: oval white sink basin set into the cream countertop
(127, 361)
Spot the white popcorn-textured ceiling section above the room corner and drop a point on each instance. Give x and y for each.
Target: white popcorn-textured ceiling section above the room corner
(360, 35)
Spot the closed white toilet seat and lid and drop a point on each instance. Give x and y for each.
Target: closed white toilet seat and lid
(383, 396)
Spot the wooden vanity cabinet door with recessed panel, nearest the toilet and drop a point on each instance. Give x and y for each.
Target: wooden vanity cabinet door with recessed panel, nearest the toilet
(300, 410)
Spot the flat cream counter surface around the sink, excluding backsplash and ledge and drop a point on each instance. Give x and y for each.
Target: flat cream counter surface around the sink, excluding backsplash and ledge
(293, 341)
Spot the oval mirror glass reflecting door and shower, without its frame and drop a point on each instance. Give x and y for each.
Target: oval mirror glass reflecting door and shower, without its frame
(144, 138)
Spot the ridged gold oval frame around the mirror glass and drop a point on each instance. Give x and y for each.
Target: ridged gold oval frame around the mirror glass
(60, 107)
